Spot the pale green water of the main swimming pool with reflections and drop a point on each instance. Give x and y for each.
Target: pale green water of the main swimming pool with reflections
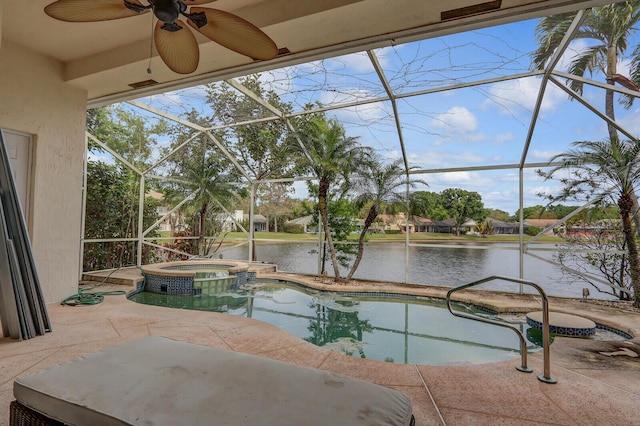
(395, 330)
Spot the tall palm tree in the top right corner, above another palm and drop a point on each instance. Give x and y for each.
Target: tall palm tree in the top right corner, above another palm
(607, 30)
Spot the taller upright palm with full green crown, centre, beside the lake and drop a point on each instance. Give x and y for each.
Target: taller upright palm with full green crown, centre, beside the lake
(331, 156)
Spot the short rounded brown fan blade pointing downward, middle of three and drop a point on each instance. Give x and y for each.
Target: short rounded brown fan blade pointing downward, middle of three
(177, 47)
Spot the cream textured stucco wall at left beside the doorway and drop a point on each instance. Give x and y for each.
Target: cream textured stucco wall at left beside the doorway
(35, 100)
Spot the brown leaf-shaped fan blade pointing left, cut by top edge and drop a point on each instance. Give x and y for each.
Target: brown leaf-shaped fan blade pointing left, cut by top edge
(91, 11)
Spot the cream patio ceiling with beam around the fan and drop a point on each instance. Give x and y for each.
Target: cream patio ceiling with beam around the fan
(106, 57)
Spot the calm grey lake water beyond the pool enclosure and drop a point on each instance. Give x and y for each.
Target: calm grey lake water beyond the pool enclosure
(446, 265)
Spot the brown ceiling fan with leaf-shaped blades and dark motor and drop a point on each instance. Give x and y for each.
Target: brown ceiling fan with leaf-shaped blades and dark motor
(176, 44)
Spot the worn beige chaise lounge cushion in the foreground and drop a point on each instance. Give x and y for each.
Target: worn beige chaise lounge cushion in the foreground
(159, 381)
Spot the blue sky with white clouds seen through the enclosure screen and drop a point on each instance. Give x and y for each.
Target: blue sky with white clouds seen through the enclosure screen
(482, 125)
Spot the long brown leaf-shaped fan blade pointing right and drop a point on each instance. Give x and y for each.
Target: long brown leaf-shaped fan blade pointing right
(235, 33)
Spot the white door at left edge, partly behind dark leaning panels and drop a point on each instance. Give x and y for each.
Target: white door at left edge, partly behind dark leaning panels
(19, 150)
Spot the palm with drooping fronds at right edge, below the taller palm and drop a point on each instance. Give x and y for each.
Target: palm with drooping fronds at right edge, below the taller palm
(608, 168)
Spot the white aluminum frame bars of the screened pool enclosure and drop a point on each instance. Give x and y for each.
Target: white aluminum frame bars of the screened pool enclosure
(549, 75)
